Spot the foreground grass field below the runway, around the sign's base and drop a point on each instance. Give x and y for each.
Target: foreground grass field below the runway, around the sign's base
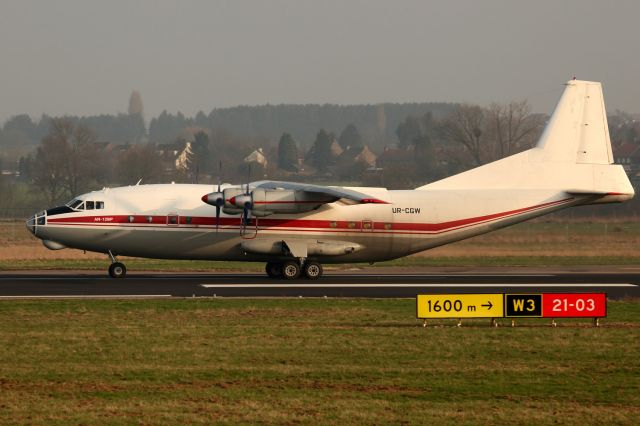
(308, 361)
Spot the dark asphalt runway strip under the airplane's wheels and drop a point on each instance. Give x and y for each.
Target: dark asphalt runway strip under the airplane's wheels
(618, 284)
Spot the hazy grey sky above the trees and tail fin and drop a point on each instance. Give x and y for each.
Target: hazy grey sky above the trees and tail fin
(85, 57)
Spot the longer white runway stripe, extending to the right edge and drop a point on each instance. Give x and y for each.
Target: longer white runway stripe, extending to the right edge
(425, 285)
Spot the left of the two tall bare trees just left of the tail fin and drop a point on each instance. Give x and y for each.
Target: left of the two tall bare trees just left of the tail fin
(465, 126)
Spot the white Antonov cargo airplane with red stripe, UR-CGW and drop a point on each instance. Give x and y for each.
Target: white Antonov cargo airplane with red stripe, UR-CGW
(294, 228)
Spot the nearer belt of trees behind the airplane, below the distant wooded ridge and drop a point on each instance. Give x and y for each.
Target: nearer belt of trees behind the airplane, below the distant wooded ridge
(71, 158)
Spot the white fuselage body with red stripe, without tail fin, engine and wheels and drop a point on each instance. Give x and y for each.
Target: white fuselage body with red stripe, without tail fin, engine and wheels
(170, 221)
